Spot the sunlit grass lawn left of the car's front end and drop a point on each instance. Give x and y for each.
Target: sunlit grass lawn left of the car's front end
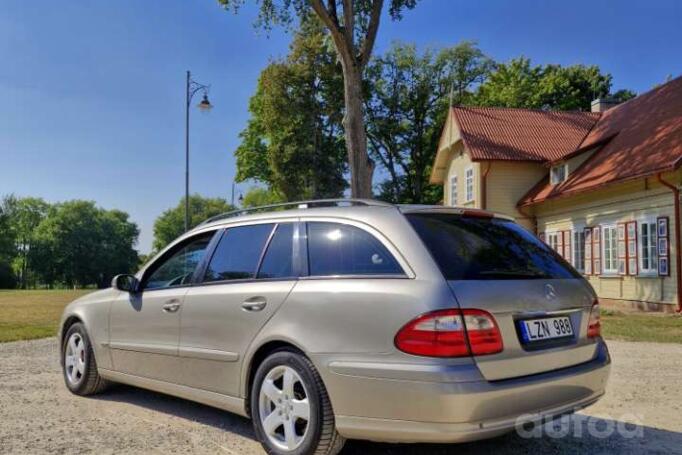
(25, 315)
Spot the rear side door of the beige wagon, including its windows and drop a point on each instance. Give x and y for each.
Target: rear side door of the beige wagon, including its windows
(248, 277)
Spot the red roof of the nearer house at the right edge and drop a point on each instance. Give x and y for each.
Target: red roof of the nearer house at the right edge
(638, 138)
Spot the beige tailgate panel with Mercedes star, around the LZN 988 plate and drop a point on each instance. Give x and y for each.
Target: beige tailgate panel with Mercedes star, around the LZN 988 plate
(511, 302)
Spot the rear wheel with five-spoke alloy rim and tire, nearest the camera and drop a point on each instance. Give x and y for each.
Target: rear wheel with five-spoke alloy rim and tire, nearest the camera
(318, 435)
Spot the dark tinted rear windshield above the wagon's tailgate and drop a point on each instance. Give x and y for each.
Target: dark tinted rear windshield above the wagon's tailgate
(478, 248)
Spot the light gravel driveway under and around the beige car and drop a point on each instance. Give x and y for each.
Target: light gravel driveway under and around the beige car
(38, 415)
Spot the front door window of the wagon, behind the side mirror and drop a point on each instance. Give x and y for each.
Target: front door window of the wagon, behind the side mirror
(178, 268)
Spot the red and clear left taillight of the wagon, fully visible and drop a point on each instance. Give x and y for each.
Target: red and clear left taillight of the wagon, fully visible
(451, 333)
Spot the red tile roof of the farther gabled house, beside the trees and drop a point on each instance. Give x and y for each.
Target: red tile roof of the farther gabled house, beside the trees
(521, 134)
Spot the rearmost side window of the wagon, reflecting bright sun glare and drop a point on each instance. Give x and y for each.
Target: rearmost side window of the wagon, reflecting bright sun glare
(338, 249)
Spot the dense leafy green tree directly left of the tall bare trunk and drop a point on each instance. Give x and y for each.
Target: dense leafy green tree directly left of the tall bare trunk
(293, 141)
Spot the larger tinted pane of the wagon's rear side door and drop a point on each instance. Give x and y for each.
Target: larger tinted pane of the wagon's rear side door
(238, 252)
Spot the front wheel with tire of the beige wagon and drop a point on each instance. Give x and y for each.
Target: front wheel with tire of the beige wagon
(77, 348)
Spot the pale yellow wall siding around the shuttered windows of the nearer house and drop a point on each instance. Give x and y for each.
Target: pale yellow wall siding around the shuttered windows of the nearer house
(633, 201)
